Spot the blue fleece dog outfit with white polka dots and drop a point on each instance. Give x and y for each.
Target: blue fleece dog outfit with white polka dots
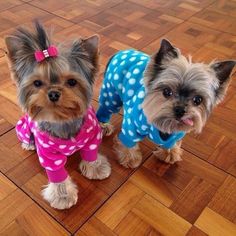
(123, 86)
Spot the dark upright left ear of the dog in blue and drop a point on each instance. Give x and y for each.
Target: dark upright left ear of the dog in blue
(166, 52)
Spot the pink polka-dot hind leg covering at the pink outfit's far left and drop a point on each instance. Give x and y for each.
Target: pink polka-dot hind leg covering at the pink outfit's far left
(23, 130)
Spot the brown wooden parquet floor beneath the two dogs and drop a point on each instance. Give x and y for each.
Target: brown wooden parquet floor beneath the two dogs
(194, 197)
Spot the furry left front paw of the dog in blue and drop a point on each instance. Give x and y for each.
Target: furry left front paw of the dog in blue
(128, 157)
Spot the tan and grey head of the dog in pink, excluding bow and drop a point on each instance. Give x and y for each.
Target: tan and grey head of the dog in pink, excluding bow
(57, 89)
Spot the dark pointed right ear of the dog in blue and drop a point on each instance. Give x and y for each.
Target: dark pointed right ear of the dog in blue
(223, 71)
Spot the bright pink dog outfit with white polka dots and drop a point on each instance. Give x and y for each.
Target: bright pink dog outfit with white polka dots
(52, 152)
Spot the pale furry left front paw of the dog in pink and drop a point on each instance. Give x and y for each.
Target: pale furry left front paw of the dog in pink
(61, 195)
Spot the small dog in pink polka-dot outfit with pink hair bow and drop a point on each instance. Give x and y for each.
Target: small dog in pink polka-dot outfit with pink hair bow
(55, 90)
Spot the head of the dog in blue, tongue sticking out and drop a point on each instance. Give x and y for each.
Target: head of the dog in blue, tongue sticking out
(181, 94)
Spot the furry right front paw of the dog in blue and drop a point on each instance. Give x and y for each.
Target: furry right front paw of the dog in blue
(170, 155)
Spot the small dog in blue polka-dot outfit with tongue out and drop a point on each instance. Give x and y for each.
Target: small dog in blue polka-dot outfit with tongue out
(163, 97)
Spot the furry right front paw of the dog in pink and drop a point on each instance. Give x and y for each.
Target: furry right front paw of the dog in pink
(99, 169)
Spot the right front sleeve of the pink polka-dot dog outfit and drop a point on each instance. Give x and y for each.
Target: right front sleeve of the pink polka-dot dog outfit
(91, 136)
